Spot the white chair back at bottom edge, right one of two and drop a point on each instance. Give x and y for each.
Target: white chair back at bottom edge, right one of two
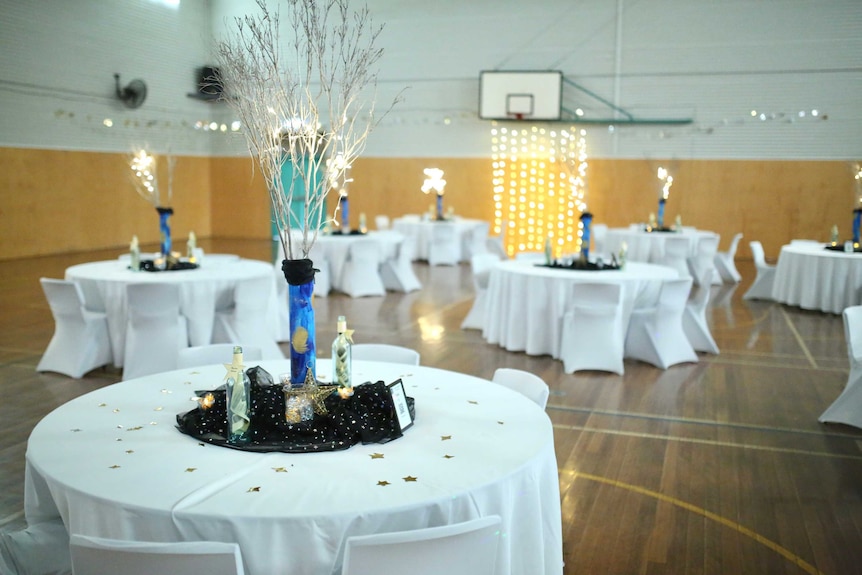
(468, 548)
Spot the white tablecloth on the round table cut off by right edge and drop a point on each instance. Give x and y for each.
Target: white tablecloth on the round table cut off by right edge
(811, 277)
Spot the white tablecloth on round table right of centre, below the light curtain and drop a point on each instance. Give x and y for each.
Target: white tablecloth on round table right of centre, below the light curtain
(526, 302)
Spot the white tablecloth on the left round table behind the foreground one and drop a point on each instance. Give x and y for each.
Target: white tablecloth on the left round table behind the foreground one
(202, 290)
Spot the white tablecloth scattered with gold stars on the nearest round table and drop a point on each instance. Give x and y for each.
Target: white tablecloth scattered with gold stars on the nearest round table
(112, 464)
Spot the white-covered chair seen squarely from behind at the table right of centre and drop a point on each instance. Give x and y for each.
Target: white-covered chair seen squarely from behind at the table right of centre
(592, 331)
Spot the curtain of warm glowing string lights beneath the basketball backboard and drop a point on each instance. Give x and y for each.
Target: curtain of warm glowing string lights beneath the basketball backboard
(539, 185)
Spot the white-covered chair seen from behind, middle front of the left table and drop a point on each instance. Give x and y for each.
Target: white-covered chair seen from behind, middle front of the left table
(155, 329)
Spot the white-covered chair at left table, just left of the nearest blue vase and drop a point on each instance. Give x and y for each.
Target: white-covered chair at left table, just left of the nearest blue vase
(249, 320)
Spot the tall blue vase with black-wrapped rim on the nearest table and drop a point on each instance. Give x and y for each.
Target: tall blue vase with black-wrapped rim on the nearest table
(303, 351)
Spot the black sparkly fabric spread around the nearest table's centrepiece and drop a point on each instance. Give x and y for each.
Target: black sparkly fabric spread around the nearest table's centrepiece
(366, 417)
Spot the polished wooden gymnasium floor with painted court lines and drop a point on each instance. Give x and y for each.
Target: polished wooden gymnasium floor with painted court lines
(714, 467)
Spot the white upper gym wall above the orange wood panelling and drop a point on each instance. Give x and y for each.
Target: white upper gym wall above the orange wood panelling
(712, 62)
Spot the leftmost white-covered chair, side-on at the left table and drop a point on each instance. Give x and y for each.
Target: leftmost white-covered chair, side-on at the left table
(81, 341)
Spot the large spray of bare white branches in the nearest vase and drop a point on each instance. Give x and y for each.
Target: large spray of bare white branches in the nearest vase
(303, 101)
